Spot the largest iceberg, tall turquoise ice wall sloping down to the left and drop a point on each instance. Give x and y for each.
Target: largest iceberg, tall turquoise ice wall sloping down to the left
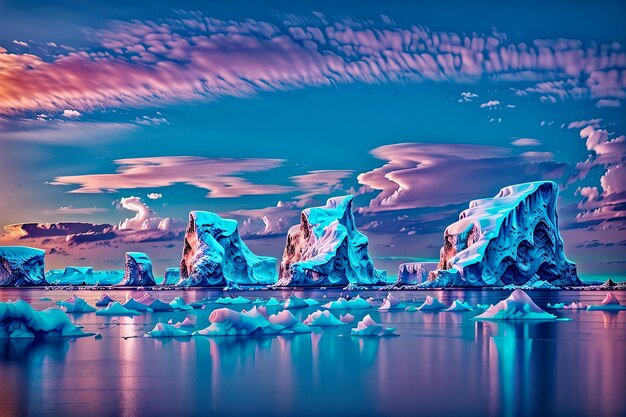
(509, 239)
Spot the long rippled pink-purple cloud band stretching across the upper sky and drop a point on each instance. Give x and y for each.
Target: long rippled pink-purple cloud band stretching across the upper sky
(192, 57)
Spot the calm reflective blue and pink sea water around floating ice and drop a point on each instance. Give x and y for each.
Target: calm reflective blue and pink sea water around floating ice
(443, 364)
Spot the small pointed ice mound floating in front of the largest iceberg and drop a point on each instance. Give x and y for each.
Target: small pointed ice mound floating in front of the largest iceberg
(518, 306)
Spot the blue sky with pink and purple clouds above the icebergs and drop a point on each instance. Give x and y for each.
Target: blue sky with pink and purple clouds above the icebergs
(118, 118)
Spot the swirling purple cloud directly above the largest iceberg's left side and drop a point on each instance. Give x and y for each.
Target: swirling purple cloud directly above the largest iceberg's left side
(435, 175)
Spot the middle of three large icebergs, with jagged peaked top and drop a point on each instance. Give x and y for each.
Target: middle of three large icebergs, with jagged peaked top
(327, 249)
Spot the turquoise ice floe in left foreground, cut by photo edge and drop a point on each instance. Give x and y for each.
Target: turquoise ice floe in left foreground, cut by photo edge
(19, 320)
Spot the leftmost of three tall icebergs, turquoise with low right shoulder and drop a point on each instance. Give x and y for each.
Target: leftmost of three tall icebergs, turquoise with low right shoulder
(214, 254)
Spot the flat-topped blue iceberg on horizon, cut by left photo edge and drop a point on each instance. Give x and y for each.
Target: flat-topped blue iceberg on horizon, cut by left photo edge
(21, 265)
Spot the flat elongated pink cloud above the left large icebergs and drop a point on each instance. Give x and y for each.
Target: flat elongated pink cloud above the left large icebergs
(219, 176)
